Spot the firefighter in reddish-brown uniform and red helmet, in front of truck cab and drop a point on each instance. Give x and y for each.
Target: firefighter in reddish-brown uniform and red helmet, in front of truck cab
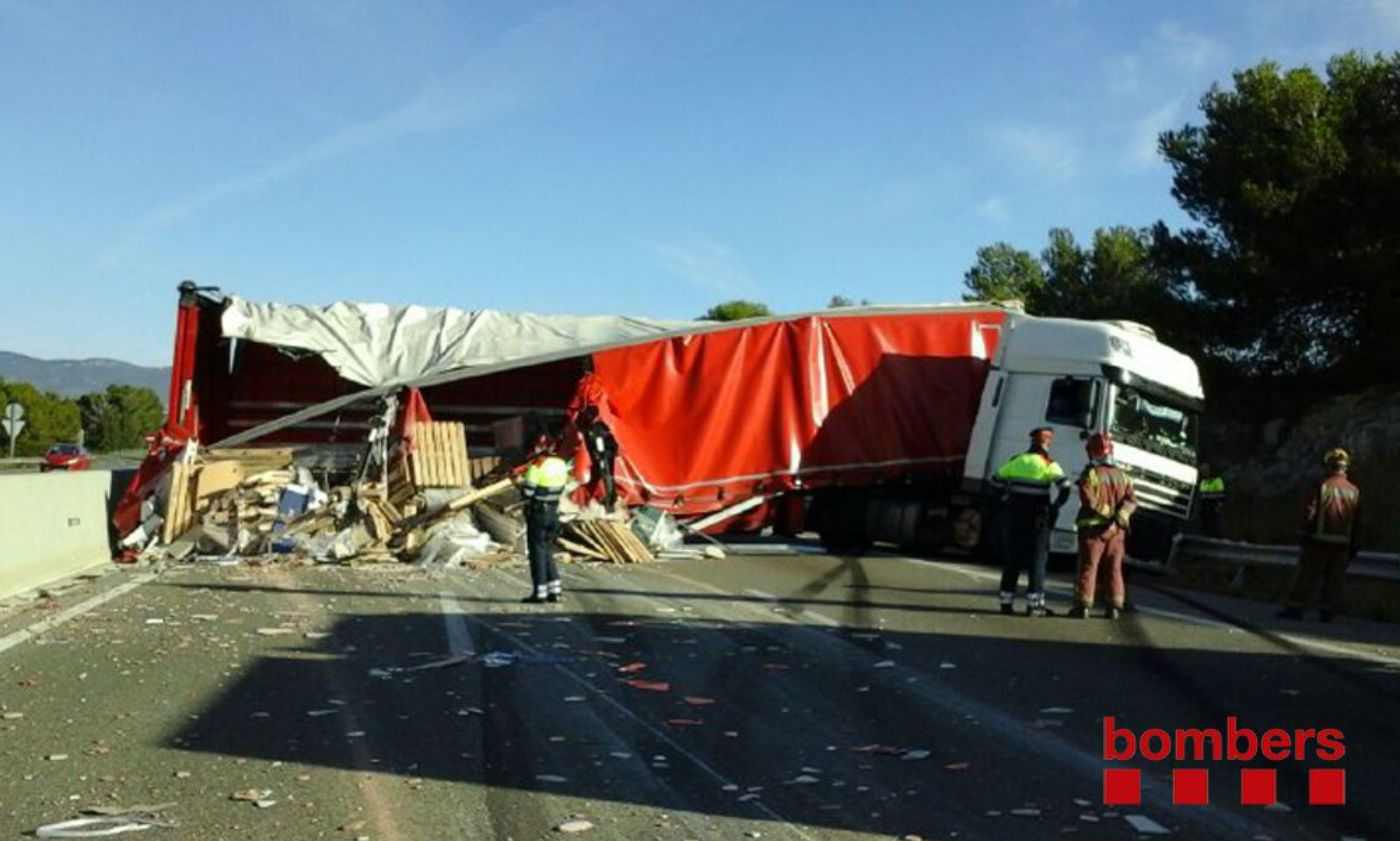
(1107, 504)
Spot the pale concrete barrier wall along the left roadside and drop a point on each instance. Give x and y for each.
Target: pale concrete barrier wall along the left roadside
(52, 525)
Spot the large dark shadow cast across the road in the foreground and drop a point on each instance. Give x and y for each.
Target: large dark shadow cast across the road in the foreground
(766, 720)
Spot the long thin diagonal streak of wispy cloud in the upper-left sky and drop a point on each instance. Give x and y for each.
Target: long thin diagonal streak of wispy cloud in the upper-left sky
(530, 62)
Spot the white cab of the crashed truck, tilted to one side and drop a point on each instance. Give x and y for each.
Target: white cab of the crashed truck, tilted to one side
(1080, 379)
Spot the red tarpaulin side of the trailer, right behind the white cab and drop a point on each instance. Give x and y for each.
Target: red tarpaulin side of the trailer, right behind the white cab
(712, 419)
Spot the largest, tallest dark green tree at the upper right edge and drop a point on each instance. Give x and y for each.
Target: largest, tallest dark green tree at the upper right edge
(1294, 185)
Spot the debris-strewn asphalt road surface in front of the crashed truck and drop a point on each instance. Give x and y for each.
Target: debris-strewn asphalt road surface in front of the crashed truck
(779, 696)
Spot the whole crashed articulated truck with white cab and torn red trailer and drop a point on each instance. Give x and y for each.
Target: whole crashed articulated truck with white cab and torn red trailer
(863, 425)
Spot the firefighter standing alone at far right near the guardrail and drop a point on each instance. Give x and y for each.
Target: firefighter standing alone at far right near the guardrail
(1329, 541)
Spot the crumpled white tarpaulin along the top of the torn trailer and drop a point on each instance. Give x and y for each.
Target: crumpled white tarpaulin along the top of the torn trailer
(380, 345)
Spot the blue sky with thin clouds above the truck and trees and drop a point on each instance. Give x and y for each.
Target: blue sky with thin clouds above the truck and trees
(647, 159)
